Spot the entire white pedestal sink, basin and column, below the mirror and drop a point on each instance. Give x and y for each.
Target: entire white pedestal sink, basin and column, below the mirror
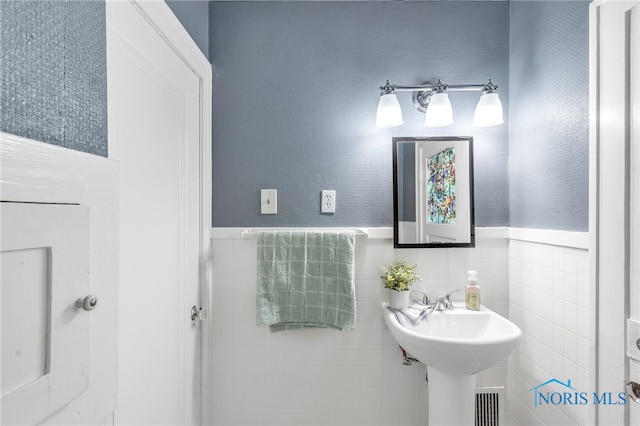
(455, 345)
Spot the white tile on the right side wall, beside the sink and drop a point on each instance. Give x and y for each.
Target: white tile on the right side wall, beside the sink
(548, 300)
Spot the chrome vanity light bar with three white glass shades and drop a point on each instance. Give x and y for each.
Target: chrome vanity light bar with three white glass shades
(433, 100)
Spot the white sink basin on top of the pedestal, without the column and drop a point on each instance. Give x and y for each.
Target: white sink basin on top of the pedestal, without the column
(458, 341)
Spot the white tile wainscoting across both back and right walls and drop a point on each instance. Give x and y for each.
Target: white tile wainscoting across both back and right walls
(356, 377)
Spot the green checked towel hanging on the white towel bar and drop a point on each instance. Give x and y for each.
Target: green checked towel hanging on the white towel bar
(306, 279)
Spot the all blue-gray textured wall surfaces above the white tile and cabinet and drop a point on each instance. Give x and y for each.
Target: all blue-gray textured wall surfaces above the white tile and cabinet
(301, 57)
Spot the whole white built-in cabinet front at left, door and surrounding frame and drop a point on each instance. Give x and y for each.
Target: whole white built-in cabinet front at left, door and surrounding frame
(59, 243)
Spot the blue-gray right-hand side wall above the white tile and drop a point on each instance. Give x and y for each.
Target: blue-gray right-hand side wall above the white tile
(549, 98)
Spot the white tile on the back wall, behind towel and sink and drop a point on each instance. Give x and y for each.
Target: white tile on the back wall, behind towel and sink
(328, 377)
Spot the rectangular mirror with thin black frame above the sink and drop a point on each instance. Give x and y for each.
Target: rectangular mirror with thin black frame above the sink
(433, 192)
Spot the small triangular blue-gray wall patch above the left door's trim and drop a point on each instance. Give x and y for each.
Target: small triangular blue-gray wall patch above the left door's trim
(194, 16)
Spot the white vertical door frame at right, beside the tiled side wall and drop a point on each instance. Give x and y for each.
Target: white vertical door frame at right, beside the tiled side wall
(609, 159)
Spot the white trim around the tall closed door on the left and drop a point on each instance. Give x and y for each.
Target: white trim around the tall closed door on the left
(169, 28)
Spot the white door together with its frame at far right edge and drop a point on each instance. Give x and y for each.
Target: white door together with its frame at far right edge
(615, 200)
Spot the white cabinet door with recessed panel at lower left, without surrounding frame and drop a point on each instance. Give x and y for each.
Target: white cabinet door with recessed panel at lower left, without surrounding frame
(45, 338)
